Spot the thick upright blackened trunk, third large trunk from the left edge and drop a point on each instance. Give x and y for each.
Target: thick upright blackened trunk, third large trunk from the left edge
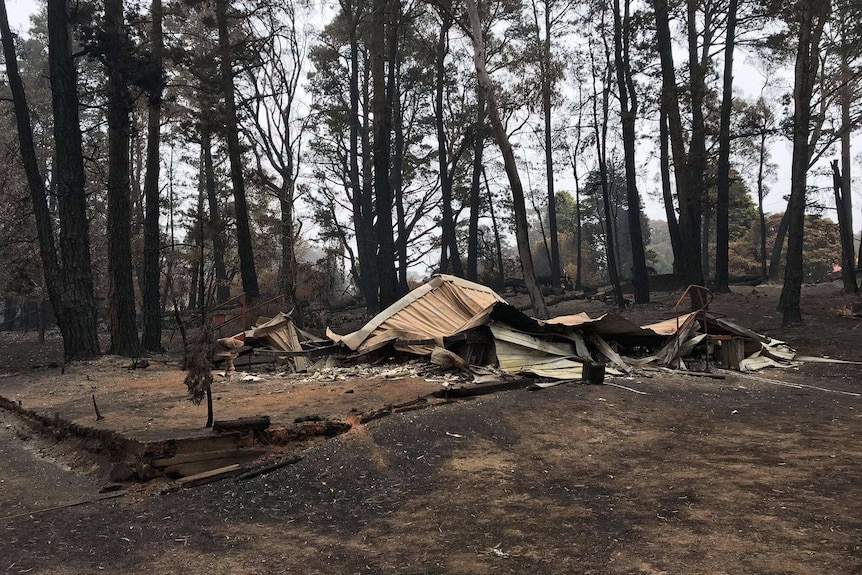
(121, 295)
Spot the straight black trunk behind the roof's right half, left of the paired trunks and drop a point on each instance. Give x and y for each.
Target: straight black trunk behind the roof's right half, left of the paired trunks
(628, 113)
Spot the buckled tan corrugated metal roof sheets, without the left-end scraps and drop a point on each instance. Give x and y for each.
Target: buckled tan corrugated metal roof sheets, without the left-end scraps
(449, 317)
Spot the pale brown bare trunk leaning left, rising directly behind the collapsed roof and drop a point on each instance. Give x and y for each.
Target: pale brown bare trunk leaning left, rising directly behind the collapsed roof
(519, 206)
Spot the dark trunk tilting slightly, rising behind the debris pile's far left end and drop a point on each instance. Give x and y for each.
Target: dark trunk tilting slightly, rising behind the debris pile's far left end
(243, 229)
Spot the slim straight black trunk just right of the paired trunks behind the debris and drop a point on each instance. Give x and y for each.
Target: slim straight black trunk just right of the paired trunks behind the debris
(722, 223)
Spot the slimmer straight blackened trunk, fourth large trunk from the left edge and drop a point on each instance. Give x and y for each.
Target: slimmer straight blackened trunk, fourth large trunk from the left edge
(151, 336)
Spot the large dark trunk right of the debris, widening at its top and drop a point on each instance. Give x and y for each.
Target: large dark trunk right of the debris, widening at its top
(811, 17)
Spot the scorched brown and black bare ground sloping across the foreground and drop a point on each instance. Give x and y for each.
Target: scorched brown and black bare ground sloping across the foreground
(692, 475)
